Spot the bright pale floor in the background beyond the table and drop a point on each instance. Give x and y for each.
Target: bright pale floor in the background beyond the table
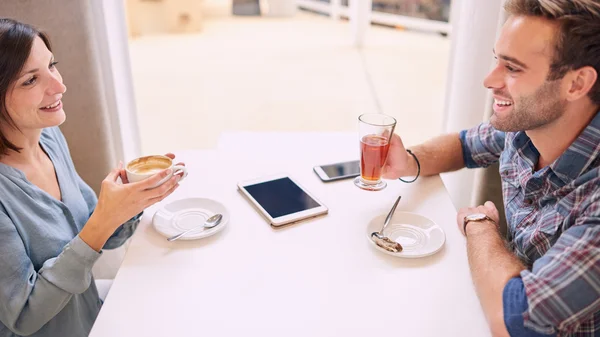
(292, 74)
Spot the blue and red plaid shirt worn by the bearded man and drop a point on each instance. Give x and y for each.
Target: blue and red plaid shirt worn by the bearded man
(553, 220)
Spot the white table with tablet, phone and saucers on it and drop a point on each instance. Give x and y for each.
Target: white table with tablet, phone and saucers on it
(317, 278)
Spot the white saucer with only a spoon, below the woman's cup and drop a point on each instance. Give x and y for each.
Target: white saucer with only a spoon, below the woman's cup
(183, 214)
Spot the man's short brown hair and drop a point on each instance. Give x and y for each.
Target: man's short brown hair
(577, 43)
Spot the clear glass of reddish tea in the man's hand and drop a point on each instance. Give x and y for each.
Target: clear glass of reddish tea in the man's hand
(375, 132)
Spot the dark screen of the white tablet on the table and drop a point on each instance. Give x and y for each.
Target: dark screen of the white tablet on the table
(281, 197)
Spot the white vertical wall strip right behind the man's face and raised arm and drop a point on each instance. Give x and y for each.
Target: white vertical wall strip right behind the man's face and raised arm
(474, 30)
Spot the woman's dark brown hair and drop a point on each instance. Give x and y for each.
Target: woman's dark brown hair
(16, 40)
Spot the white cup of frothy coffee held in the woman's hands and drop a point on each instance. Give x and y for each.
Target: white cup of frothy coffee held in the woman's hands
(145, 167)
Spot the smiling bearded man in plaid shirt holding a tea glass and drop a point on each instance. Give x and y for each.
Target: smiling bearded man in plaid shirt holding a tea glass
(545, 132)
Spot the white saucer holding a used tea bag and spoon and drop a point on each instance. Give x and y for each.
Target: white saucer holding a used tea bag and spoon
(418, 235)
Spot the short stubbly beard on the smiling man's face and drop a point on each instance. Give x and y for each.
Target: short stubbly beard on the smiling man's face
(532, 112)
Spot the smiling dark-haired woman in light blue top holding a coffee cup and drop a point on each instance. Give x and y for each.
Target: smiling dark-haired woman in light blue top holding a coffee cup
(52, 226)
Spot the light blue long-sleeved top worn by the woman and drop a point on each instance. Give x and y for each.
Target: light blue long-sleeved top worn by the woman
(46, 283)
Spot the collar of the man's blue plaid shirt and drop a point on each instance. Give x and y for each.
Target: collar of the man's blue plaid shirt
(578, 157)
